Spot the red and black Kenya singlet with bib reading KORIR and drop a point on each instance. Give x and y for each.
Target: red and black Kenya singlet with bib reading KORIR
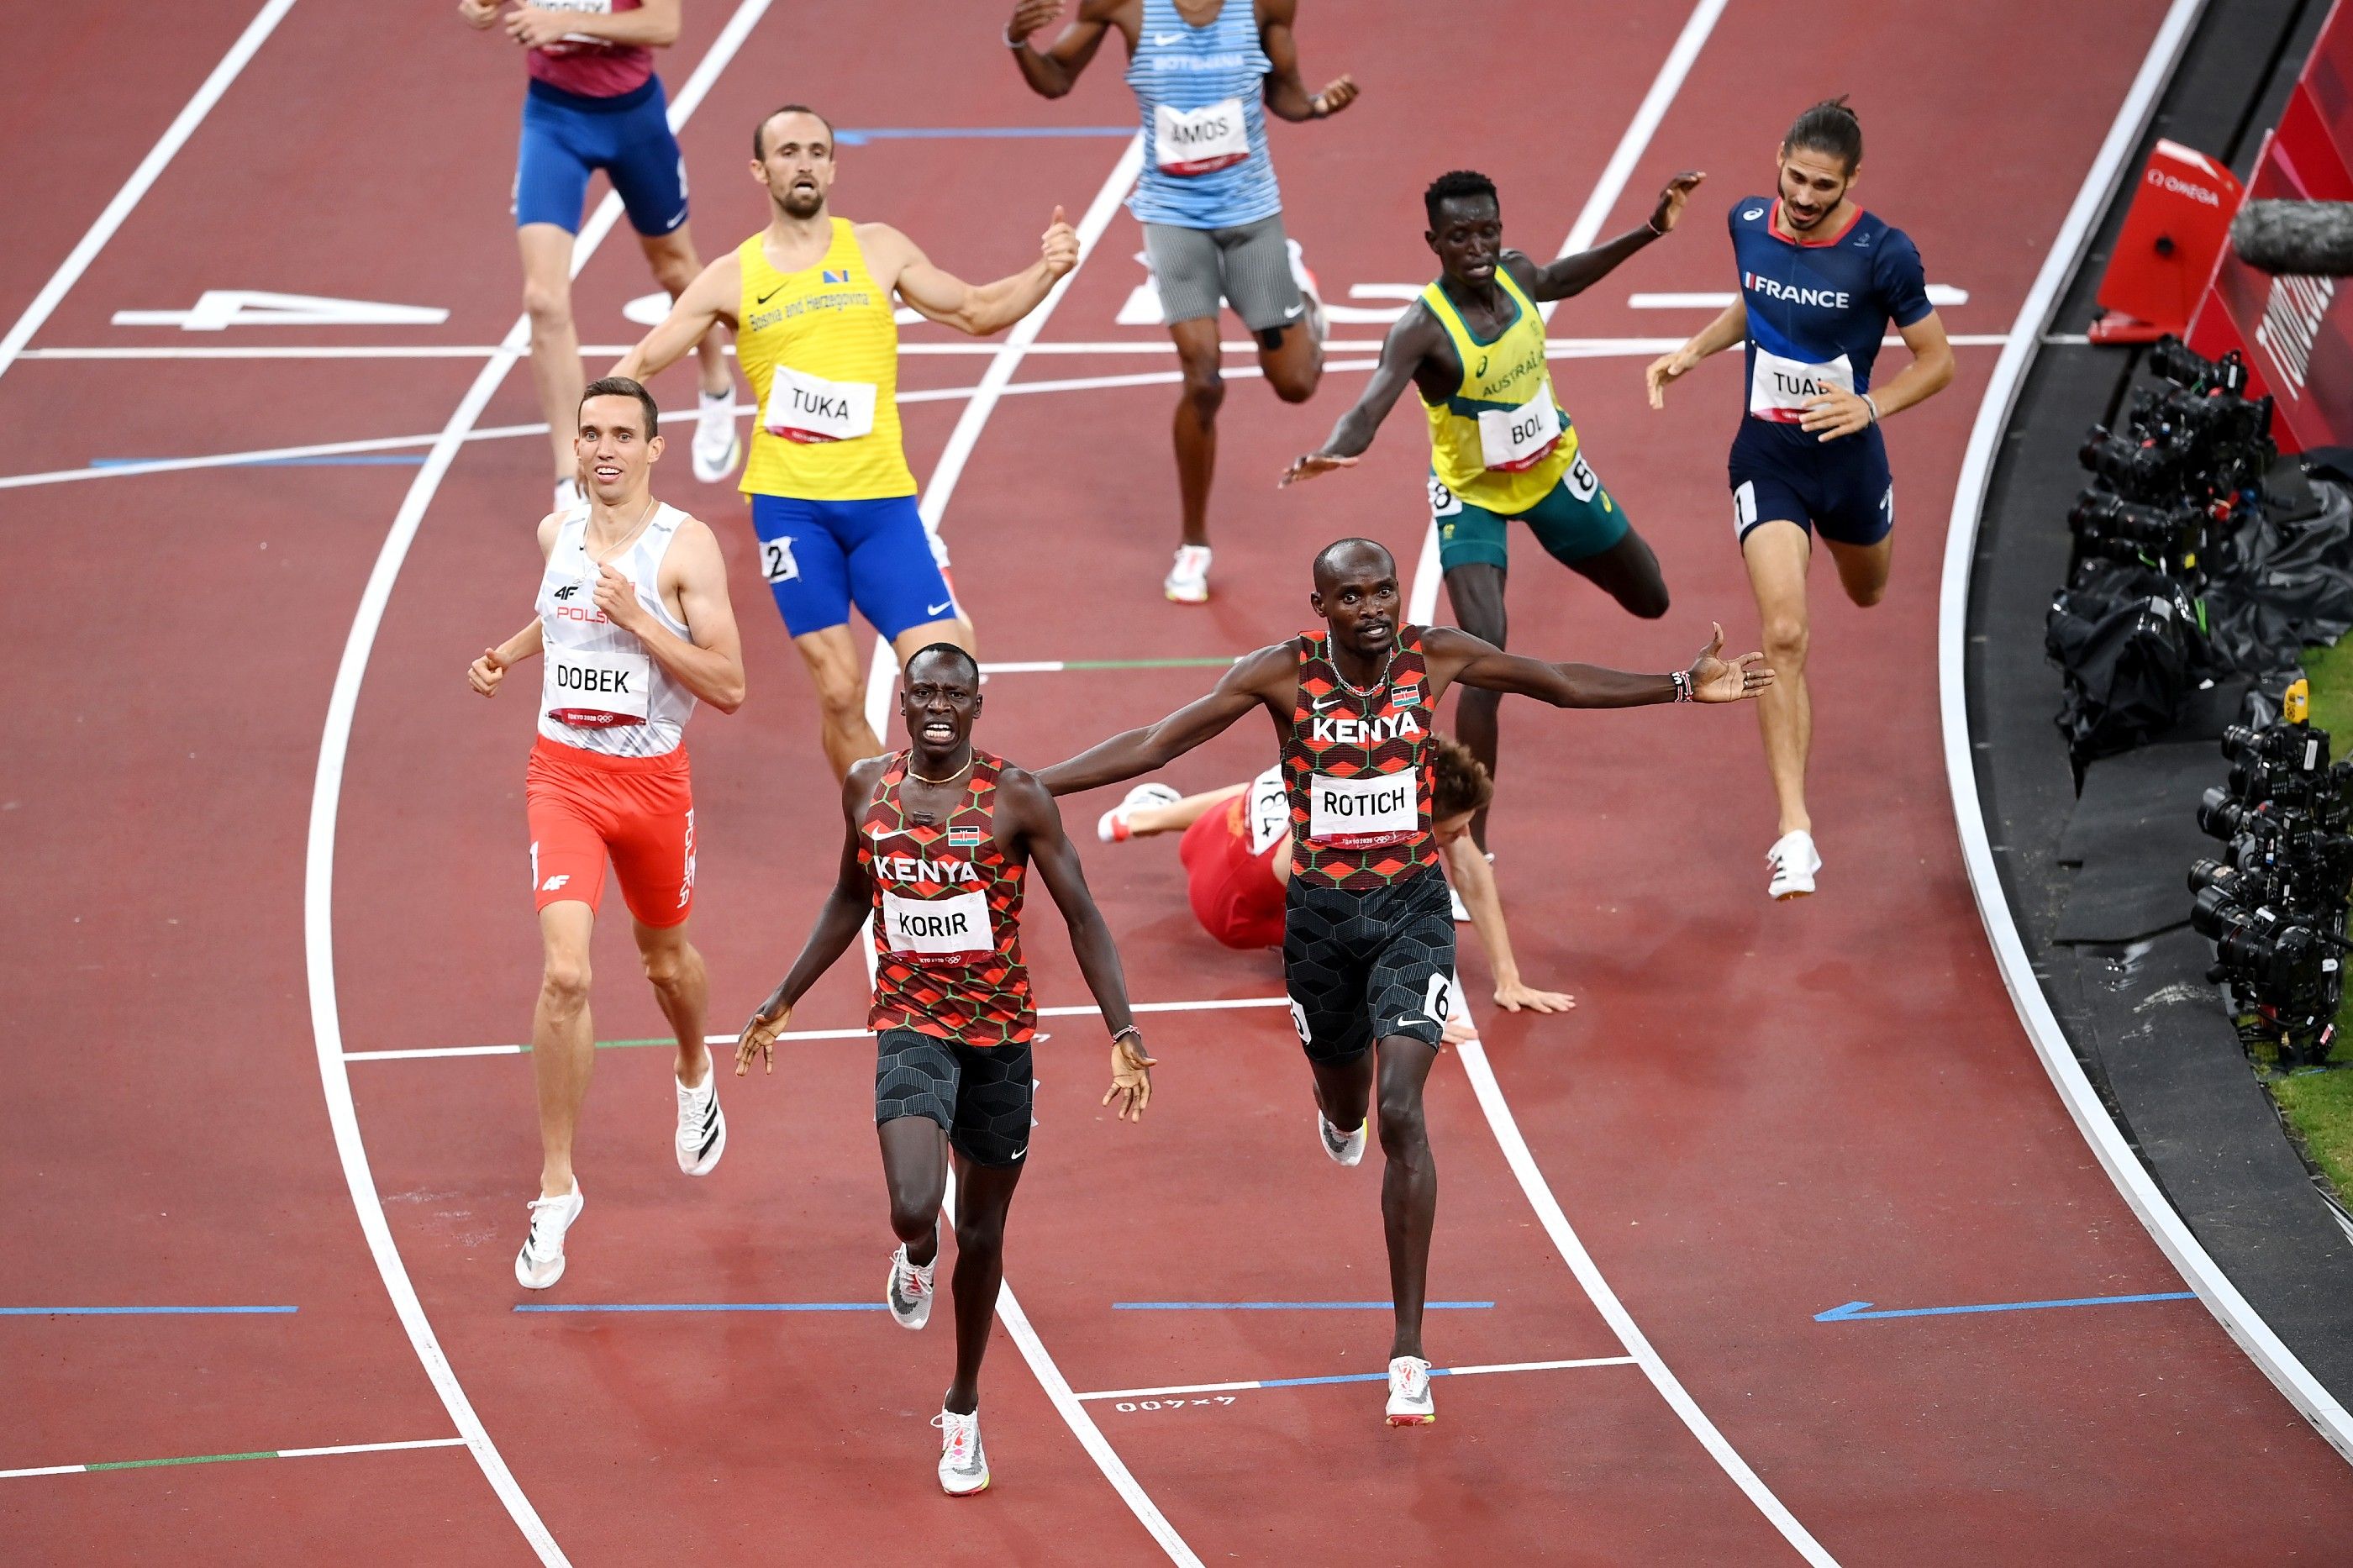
(947, 917)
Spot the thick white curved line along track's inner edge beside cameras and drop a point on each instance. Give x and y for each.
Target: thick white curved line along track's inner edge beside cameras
(2117, 1157)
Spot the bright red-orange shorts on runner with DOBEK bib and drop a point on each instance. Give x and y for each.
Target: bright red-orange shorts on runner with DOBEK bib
(634, 809)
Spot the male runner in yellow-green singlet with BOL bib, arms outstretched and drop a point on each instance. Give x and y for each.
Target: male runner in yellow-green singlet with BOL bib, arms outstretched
(1500, 446)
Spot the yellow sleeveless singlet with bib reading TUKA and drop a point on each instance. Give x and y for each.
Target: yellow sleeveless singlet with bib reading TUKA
(822, 357)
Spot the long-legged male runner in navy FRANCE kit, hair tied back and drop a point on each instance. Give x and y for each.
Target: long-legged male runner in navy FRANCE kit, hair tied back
(1820, 284)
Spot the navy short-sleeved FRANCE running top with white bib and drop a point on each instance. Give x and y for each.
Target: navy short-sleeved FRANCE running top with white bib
(1820, 307)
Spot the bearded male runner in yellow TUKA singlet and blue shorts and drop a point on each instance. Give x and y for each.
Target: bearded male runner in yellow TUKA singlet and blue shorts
(832, 496)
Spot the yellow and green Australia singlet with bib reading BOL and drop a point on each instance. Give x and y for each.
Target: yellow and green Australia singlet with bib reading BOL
(1505, 378)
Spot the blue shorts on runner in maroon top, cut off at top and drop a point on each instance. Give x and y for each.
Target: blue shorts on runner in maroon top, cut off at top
(568, 138)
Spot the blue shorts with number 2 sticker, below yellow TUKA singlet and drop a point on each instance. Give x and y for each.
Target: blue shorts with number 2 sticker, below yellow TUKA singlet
(820, 557)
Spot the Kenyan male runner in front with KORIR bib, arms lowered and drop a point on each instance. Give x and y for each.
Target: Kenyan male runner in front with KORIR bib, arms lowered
(940, 842)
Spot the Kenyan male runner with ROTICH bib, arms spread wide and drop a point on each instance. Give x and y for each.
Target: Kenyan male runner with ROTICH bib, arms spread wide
(1368, 943)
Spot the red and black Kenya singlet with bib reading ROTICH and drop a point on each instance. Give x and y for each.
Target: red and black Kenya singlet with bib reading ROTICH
(1357, 771)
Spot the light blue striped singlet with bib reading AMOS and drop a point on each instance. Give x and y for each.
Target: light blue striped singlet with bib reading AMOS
(1201, 93)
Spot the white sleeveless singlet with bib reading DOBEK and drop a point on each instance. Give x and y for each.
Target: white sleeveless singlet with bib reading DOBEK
(599, 689)
